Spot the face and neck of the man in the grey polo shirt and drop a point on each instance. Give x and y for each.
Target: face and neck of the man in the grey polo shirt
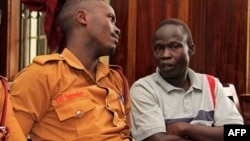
(172, 55)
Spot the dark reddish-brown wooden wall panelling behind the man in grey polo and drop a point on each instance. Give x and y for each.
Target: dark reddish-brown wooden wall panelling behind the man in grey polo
(219, 29)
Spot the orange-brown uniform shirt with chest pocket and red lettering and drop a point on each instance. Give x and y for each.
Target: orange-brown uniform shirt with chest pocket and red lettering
(55, 98)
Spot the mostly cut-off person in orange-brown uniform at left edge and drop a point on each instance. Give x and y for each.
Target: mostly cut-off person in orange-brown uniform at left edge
(11, 126)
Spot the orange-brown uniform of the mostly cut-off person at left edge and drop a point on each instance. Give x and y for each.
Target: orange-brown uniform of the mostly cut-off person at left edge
(15, 132)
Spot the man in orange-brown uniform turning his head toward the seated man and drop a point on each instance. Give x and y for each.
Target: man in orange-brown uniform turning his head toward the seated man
(72, 95)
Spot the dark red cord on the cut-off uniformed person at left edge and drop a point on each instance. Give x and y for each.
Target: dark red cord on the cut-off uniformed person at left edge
(4, 110)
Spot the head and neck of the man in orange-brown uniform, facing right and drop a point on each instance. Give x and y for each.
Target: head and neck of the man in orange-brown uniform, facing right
(91, 33)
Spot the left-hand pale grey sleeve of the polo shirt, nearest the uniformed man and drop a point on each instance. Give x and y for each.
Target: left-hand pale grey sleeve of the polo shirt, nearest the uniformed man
(146, 116)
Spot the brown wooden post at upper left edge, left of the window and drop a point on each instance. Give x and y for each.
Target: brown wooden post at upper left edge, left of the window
(9, 38)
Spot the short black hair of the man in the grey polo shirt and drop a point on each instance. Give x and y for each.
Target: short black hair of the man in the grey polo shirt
(177, 22)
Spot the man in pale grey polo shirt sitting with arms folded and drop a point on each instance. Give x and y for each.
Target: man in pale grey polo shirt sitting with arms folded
(175, 103)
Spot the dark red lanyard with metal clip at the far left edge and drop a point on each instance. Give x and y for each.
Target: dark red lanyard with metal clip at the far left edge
(4, 130)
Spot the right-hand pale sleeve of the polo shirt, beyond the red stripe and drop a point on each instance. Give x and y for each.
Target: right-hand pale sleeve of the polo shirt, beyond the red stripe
(226, 111)
